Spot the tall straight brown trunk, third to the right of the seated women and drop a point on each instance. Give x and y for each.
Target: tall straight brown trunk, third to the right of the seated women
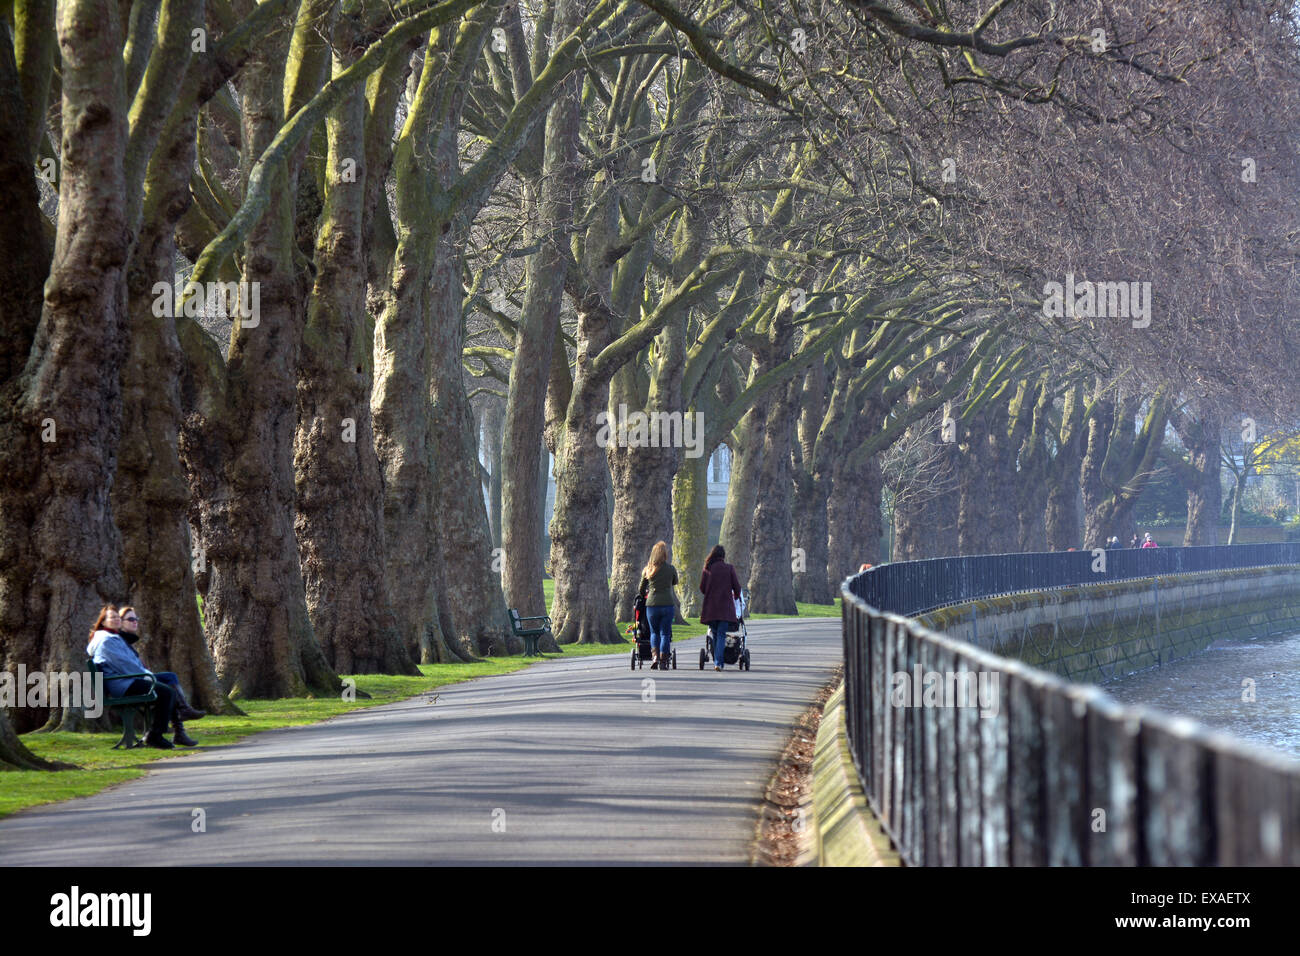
(340, 522)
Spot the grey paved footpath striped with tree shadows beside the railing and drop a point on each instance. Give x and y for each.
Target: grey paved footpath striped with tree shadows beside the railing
(562, 763)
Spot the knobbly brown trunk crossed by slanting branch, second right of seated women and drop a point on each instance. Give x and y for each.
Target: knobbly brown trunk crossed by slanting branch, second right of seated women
(242, 464)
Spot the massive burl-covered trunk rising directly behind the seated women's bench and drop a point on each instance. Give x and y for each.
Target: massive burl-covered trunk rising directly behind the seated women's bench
(63, 414)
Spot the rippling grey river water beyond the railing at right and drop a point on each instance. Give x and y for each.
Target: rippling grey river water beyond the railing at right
(1210, 689)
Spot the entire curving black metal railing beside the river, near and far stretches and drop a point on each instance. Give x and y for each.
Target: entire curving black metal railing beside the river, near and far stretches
(1043, 772)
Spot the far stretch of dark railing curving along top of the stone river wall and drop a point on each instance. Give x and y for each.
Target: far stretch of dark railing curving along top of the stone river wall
(916, 587)
